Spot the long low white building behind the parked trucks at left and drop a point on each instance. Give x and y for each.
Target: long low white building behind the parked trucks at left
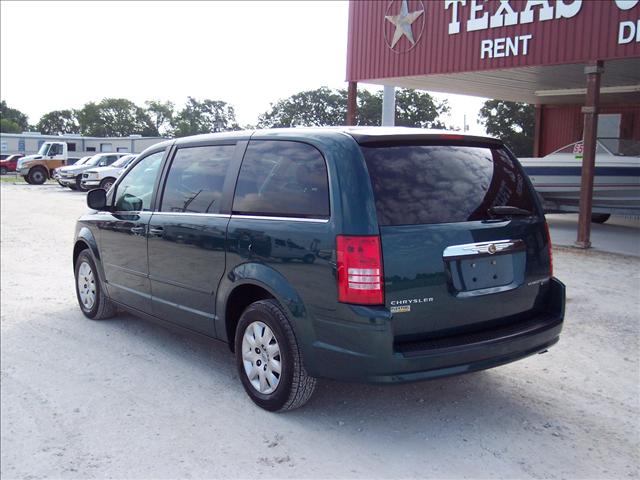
(28, 143)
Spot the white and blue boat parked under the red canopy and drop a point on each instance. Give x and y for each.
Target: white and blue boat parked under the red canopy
(616, 185)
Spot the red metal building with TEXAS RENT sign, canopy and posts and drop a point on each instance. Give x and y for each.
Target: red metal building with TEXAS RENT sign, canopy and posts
(573, 59)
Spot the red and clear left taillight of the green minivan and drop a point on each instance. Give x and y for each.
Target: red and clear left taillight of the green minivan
(360, 270)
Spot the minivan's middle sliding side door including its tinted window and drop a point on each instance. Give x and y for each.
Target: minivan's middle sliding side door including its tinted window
(187, 237)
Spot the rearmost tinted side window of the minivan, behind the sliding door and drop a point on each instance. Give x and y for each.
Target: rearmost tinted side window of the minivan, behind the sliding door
(281, 178)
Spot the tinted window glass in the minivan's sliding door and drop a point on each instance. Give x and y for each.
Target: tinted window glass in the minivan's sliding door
(195, 179)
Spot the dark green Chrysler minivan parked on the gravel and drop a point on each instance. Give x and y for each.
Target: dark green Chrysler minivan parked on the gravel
(359, 254)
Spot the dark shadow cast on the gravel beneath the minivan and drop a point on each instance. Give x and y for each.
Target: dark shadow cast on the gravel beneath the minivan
(482, 400)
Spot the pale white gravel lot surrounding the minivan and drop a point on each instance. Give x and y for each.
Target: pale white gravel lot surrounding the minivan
(127, 399)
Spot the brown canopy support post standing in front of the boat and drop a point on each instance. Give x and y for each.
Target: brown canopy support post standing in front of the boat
(593, 70)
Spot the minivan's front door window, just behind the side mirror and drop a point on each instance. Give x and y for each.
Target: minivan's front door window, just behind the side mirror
(135, 190)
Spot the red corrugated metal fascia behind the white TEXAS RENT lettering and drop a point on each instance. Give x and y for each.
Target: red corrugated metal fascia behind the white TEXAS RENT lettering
(592, 34)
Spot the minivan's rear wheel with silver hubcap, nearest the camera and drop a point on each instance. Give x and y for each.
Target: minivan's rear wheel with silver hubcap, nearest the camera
(269, 360)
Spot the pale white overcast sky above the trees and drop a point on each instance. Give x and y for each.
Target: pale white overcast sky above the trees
(60, 55)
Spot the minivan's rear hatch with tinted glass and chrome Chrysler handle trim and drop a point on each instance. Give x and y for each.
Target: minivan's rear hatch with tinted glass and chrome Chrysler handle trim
(464, 241)
